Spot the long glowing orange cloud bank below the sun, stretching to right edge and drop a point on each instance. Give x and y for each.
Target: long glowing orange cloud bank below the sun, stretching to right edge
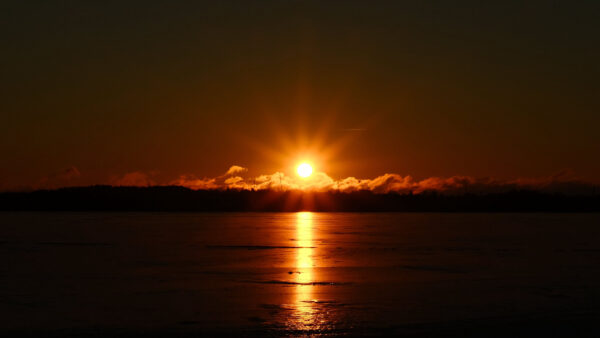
(233, 179)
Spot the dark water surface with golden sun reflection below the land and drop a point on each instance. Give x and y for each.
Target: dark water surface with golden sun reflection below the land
(272, 274)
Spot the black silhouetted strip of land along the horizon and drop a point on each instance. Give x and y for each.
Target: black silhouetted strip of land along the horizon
(176, 198)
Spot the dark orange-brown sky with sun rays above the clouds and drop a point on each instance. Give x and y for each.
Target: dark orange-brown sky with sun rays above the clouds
(114, 92)
